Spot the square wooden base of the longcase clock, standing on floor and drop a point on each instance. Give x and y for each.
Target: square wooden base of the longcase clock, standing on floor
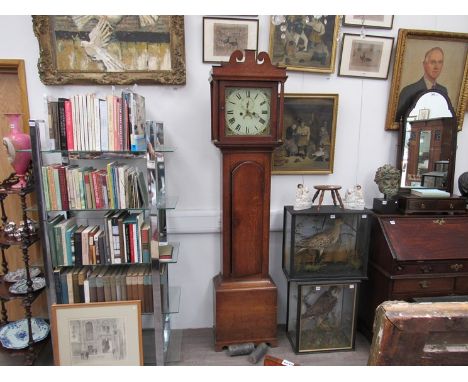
(245, 311)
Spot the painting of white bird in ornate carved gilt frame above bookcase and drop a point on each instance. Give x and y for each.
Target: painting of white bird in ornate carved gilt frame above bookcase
(113, 49)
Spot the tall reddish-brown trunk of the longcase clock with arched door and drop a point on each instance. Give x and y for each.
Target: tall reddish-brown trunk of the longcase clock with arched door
(246, 216)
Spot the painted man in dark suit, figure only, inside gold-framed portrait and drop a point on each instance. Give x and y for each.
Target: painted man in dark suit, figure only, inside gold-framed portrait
(432, 64)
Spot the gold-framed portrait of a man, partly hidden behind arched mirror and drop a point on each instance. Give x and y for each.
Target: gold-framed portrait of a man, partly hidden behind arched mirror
(428, 59)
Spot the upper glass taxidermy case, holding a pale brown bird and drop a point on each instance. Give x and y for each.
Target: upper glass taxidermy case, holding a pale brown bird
(328, 244)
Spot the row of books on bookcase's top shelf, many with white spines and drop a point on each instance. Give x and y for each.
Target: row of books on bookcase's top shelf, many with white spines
(87, 122)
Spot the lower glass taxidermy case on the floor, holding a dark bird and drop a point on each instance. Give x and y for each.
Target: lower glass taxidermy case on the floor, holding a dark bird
(321, 317)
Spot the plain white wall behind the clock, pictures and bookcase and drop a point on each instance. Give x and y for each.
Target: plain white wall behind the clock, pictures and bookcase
(193, 171)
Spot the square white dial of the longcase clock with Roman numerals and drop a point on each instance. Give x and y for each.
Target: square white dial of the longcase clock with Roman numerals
(247, 111)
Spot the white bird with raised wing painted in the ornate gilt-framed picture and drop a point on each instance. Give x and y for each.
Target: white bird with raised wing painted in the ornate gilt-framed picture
(96, 47)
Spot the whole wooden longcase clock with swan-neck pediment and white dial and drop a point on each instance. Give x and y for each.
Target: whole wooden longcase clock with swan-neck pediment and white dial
(247, 97)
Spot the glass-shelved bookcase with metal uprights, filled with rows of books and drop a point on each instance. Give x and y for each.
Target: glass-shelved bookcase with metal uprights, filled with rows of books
(106, 244)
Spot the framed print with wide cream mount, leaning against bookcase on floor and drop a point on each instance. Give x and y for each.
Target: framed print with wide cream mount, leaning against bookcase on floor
(97, 334)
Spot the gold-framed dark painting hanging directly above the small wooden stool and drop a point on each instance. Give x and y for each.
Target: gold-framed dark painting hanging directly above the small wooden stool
(309, 135)
